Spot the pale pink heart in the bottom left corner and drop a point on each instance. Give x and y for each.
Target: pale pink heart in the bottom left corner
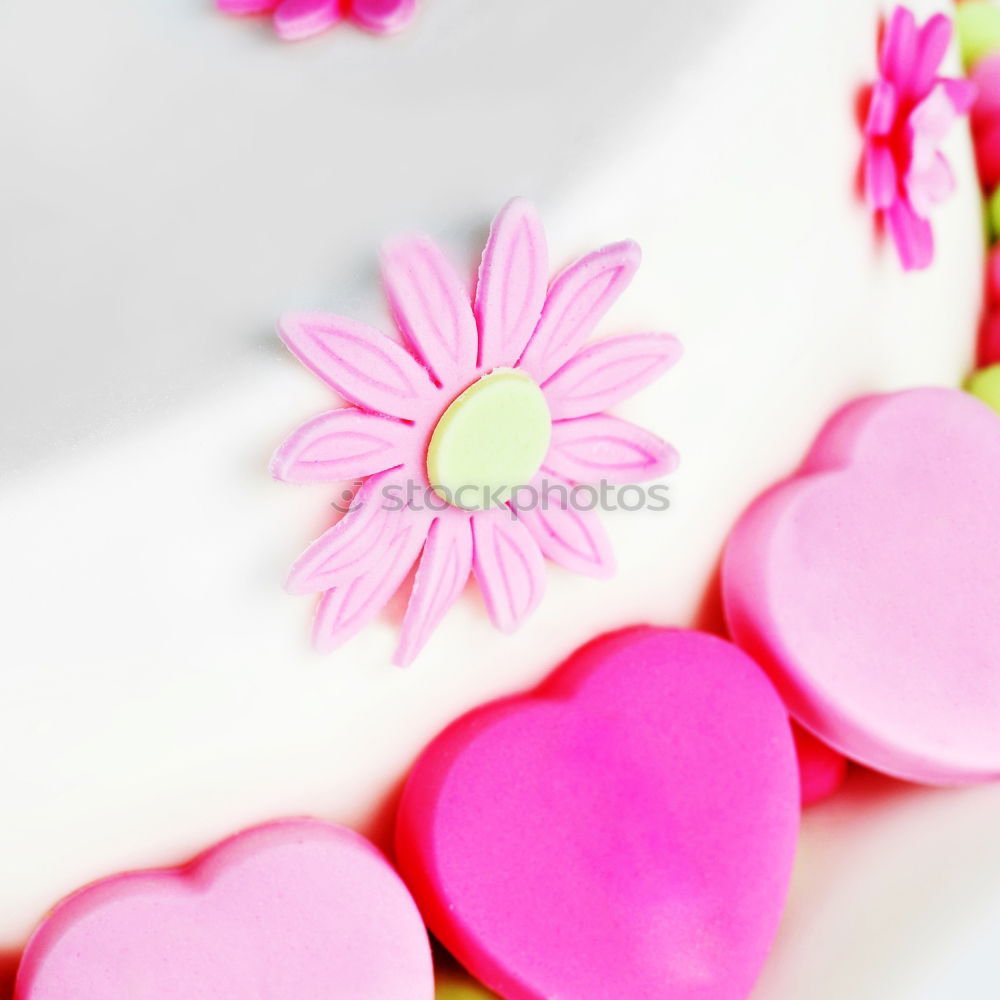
(296, 910)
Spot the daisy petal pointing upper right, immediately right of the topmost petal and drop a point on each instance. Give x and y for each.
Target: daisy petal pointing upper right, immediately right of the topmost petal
(578, 299)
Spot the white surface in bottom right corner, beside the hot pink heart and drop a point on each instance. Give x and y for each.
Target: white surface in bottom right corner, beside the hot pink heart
(896, 896)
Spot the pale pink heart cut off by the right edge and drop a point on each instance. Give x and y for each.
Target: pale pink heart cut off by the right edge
(869, 585)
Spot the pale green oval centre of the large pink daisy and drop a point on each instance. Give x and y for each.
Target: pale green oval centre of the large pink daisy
(492, 439)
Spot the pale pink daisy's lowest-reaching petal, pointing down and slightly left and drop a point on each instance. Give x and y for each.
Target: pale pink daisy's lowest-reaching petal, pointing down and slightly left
(444, 569)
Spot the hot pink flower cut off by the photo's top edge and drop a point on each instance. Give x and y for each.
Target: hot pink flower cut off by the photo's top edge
(295, 19)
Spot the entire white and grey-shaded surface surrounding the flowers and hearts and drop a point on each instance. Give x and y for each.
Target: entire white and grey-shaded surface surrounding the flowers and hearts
(173, 180)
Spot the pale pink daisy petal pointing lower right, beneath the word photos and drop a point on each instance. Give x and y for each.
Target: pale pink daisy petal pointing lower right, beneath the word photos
(573, 538)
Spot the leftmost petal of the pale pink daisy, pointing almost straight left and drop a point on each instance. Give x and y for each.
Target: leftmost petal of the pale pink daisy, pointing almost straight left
(343, 444)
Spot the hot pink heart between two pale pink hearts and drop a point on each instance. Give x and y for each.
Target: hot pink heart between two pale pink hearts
(624, 832)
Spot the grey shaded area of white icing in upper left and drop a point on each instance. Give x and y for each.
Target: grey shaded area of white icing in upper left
(175, 178)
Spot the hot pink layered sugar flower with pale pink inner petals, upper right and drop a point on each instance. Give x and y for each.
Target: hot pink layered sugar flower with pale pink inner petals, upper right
(911, 111)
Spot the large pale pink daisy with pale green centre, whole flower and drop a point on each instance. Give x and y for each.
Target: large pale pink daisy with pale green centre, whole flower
(475, 439)
